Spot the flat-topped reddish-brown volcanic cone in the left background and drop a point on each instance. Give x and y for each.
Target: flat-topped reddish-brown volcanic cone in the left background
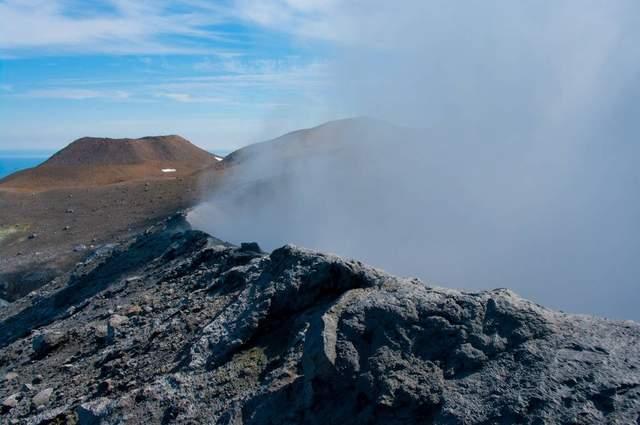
(100, 161)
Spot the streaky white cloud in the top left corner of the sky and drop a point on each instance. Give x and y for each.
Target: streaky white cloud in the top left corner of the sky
(118, 26)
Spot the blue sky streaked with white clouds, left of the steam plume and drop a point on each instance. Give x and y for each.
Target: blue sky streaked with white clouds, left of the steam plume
(221, 73)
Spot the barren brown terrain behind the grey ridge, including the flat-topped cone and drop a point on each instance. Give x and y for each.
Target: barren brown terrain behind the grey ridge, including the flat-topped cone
(90, 195)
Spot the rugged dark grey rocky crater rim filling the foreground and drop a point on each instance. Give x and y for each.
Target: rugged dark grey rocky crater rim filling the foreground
(176, 327)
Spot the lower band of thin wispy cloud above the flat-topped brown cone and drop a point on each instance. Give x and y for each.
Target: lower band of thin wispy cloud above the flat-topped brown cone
(241, 83)
